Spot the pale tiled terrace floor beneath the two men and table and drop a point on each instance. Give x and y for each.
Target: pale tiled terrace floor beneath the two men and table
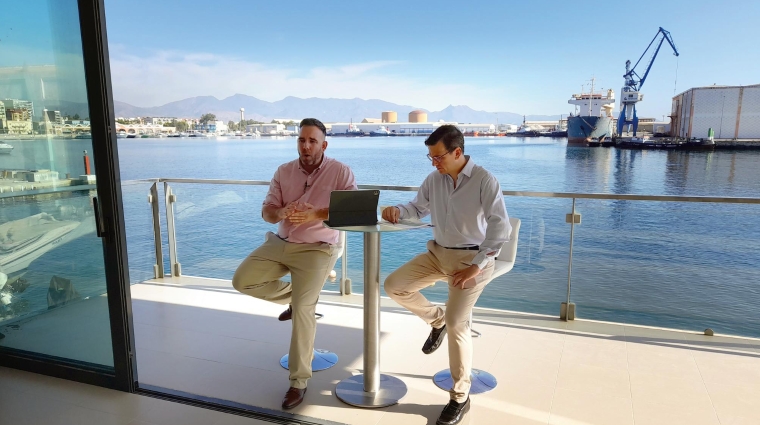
(199, 336)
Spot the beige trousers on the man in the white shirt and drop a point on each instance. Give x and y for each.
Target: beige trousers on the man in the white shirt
(438, 263)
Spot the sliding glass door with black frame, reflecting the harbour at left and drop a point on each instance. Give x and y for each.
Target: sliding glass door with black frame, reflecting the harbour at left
(62, 298)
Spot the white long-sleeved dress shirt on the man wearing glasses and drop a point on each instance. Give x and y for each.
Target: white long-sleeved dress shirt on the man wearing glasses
(472, 214)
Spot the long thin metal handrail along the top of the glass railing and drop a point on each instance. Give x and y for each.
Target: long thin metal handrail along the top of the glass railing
(530, 194)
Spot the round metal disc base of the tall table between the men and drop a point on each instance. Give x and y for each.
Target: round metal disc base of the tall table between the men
(351, 391)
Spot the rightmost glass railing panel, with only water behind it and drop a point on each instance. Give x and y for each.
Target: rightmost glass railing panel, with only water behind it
(680, 265)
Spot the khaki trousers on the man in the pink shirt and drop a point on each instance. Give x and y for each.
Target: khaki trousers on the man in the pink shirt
(259, 275)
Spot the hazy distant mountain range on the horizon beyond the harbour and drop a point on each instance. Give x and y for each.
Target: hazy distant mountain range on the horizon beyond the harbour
(327, 110)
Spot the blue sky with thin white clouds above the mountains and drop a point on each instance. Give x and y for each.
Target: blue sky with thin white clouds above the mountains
(525, 57)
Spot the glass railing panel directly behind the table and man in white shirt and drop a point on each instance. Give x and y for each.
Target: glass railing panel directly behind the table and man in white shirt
(536, 284)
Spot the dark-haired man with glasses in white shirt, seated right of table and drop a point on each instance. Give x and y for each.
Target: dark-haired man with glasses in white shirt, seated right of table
(470, 226)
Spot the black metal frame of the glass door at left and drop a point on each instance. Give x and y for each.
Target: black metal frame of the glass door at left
(110, 223)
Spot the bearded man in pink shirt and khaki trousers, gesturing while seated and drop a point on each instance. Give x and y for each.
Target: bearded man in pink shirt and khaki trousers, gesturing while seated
(298, 200)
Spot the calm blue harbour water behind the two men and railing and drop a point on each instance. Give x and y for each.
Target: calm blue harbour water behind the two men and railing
(681, 265)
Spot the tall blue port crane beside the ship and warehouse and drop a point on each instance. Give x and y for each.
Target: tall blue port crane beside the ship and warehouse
(633, 82)
